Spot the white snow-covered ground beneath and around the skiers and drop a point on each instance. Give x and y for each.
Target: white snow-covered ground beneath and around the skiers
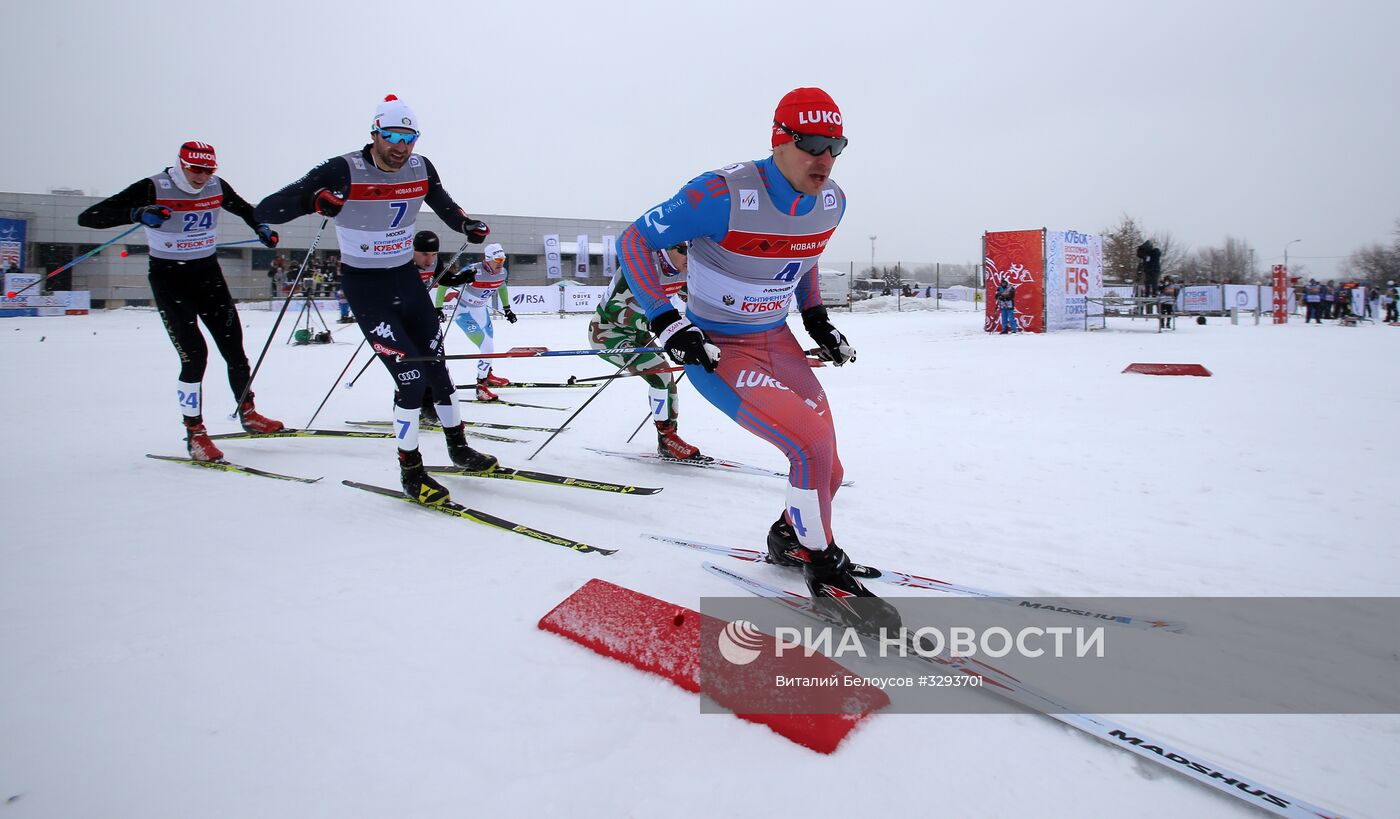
(183, 643)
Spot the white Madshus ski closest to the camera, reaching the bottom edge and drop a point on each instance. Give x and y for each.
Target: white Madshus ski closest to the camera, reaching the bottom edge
(1002, 684)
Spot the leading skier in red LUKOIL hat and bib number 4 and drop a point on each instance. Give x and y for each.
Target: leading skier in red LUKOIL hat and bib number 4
(757, 233)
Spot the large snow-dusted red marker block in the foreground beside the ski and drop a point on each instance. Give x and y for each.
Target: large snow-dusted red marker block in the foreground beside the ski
(680, 645)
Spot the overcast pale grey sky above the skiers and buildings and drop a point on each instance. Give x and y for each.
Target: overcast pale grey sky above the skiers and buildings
(1259, 120)
